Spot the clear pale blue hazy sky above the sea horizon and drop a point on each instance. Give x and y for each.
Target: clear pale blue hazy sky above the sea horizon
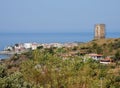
(58, 15)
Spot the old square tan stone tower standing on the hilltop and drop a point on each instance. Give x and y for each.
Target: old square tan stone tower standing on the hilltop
(99, 31)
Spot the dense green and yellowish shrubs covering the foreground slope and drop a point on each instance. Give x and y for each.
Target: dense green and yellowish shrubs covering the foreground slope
(46, 68)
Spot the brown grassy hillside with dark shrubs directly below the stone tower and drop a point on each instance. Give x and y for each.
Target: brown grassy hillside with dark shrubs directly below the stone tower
(106, 47)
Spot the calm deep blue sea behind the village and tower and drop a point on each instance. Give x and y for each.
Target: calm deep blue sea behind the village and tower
(10, 39)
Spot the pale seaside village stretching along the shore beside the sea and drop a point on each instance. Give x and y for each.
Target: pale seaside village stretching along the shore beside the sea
(33, 46)
